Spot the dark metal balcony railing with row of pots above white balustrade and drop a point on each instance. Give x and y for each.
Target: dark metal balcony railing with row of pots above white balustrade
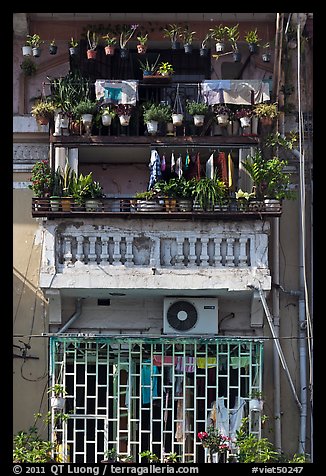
(160, 208)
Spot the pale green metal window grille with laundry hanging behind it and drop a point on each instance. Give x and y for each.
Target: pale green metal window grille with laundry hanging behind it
(138, 394)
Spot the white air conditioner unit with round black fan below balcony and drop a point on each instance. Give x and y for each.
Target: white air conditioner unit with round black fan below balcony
(190, 316)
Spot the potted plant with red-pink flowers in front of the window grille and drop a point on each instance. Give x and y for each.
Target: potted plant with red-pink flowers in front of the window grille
(216, 443)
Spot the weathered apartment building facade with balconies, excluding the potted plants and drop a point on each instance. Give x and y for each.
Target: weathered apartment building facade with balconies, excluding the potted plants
(158, 321)
